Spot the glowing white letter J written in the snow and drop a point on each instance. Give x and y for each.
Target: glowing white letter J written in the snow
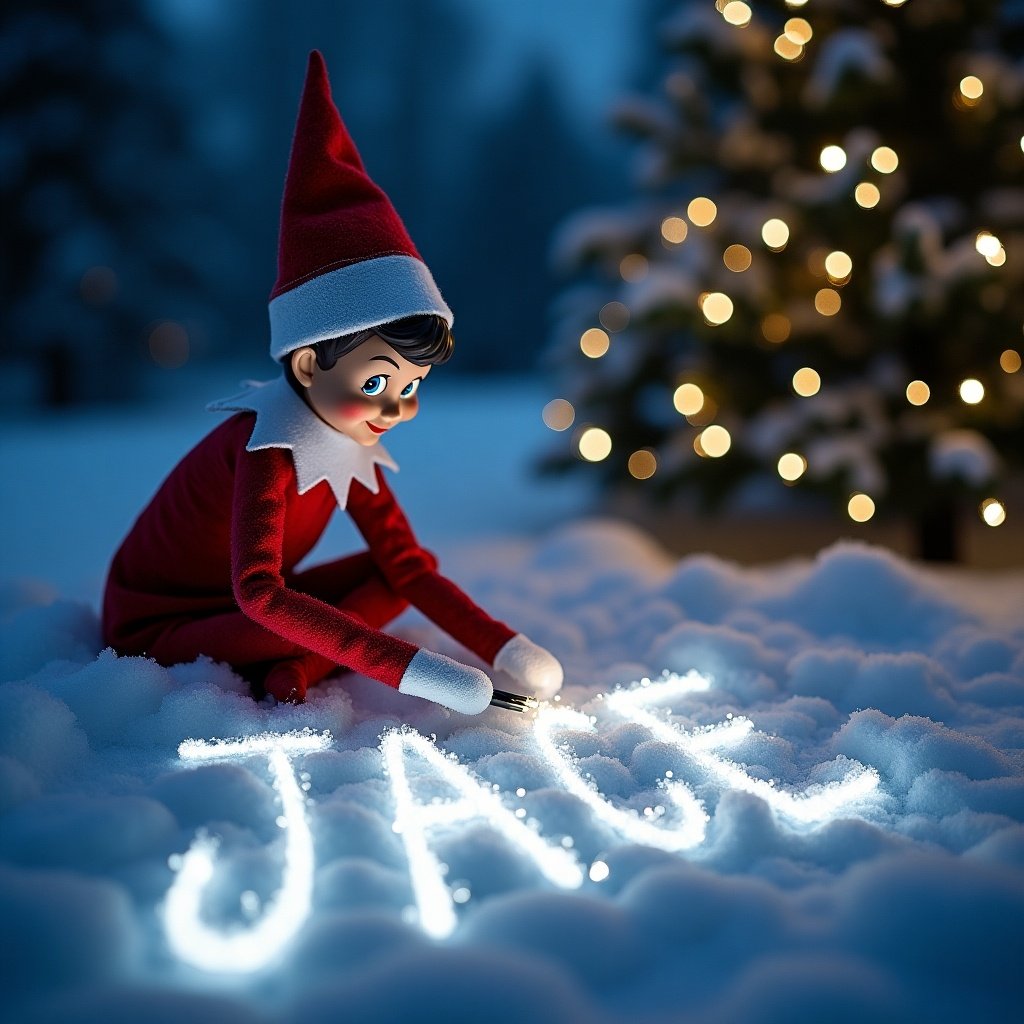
(250, 949)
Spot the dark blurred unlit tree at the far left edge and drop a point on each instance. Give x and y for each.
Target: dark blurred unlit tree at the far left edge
(107, 237)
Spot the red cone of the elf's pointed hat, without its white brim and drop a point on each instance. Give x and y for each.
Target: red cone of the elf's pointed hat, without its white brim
(332, 214)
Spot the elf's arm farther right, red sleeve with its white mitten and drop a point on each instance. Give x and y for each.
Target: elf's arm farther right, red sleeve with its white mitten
(412, 572)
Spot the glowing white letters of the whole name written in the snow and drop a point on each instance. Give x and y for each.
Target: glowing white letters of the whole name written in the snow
(677, 825)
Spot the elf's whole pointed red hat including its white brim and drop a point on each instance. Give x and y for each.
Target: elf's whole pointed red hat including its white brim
(346, 262)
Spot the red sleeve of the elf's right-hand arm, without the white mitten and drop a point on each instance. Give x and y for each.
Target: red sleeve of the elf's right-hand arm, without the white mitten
(412, 572)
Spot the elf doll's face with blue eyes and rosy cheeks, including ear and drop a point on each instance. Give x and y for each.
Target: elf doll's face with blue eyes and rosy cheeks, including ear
(367, 393)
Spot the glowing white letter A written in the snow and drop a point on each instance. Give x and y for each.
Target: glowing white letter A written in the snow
(413, 819)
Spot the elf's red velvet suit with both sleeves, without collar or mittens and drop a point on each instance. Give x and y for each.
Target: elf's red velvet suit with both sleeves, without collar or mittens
(209, 569)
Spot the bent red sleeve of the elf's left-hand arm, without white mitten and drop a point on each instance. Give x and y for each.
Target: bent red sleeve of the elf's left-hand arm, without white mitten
(259, 516)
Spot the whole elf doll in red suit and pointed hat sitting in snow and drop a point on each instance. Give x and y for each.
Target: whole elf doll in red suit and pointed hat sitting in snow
(209, 568)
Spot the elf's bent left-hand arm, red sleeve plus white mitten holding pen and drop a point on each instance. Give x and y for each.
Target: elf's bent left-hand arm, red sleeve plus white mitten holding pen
(259, 516)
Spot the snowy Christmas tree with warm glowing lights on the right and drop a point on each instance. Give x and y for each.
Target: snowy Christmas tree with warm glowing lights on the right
(821, 285)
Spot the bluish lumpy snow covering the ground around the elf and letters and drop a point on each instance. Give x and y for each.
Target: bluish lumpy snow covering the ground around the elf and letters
(907, 906)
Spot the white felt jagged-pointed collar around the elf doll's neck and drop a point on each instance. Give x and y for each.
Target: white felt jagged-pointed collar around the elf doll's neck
(319, 452)
